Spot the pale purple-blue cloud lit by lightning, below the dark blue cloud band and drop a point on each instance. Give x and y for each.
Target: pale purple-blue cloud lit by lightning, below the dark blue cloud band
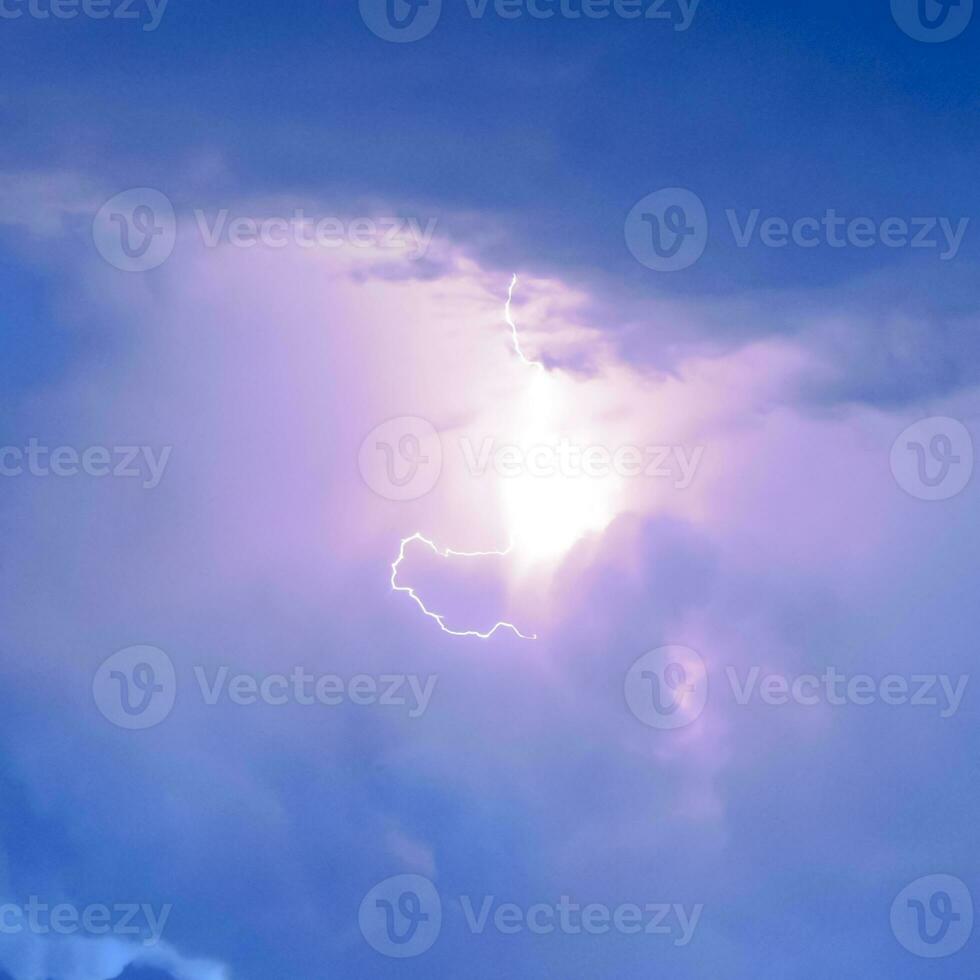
(263, 548)
